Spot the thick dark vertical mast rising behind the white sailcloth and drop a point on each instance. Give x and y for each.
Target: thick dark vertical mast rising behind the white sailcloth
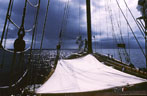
(89, 26)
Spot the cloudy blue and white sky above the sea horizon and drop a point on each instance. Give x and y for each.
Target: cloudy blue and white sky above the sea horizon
(108, 23)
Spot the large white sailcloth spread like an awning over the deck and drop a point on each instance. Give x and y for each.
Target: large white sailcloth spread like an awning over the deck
(83, 75)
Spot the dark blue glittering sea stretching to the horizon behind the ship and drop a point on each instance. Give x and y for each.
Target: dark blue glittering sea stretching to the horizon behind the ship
(135, 55)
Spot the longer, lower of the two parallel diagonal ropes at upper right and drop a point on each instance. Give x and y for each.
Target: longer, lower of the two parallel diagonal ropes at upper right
(130, 28)
